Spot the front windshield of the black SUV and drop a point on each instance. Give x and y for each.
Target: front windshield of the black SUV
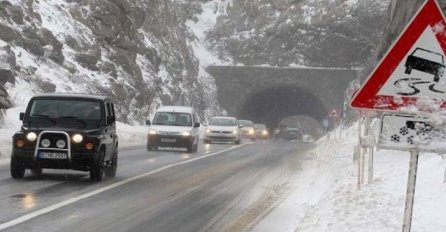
(65, 113)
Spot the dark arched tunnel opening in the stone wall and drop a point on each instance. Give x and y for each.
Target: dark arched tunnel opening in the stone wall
(273, 104)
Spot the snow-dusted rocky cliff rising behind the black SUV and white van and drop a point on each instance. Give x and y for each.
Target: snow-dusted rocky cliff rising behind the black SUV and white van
(134, 51)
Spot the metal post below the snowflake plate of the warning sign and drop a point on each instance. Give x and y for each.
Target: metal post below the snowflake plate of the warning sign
(410, 196)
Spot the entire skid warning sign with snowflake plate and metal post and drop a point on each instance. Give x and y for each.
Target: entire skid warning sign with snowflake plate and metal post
(410, 76)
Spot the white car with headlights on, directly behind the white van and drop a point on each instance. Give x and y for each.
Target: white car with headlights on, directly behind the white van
(223, 129)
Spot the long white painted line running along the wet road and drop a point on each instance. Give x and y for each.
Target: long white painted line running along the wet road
(48, 209)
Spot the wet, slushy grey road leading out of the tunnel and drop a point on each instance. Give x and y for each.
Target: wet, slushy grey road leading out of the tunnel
(223, 187)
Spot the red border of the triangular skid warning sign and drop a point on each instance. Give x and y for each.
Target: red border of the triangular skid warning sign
(366, 98)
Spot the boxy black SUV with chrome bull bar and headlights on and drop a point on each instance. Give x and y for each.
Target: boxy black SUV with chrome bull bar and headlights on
(67, 131)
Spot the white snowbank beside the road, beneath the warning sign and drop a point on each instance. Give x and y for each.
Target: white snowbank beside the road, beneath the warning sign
(324, 195)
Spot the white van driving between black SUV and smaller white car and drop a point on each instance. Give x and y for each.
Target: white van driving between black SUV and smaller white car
(173, 126)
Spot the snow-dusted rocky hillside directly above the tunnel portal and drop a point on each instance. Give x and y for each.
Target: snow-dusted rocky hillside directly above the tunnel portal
(330, 33)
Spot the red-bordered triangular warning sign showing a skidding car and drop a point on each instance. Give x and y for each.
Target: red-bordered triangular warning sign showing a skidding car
(413, 68)
